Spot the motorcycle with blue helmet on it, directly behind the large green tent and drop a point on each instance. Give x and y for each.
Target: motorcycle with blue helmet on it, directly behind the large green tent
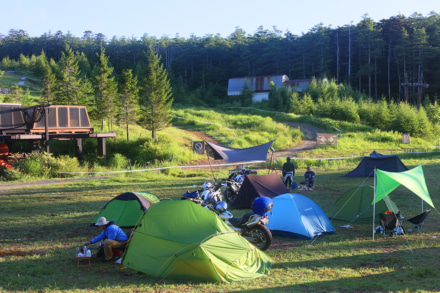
(252, 226)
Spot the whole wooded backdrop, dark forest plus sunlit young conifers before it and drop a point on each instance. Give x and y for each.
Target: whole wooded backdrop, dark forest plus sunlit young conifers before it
(365, 63)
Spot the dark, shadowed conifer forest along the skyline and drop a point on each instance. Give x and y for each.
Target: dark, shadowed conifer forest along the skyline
(375, 58)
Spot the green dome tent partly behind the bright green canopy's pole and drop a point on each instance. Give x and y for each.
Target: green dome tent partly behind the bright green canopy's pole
(355, 205)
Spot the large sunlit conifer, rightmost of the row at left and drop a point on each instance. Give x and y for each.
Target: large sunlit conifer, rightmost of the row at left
(156, 99)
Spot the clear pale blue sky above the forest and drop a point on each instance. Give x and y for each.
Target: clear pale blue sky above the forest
(134, 18)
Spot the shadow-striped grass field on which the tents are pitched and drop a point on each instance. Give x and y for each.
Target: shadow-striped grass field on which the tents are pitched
(42, 225)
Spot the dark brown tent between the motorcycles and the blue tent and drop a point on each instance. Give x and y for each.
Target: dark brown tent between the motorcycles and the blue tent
(254, 186)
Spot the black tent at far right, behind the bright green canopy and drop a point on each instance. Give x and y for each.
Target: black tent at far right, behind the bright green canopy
(378, 161)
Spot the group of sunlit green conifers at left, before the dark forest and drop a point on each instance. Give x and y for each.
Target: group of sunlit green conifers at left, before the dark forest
(145, 98)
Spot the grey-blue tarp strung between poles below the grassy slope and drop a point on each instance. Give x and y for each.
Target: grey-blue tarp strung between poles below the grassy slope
(232, 155)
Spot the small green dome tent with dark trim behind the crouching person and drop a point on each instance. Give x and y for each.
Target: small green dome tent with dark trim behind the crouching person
(127, 208)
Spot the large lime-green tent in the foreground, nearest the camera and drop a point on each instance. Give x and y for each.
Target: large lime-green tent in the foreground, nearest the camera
(180, 239)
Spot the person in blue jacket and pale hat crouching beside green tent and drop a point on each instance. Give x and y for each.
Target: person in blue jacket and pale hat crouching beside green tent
(112, 235)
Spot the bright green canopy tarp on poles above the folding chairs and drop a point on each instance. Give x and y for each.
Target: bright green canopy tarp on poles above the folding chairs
(413, 179)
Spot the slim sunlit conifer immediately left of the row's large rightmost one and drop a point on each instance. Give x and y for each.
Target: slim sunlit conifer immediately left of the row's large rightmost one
(128, 98)
